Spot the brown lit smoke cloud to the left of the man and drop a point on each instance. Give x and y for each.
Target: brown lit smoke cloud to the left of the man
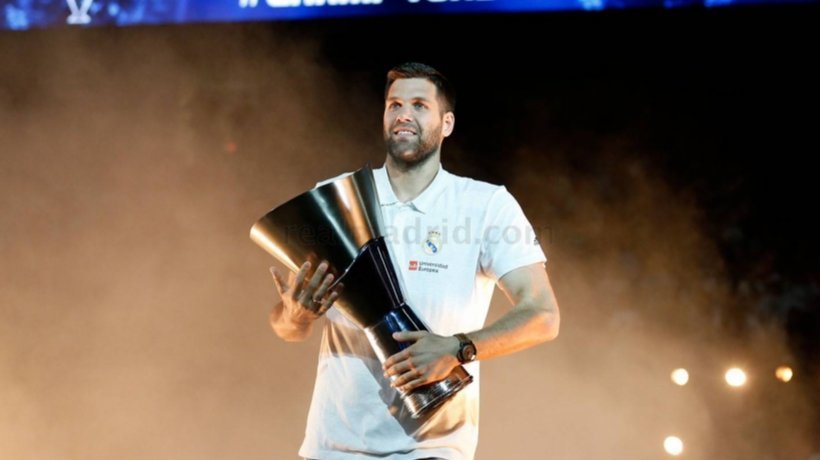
(134, 306)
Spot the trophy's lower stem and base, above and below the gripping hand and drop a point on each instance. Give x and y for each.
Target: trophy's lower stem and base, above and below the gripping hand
(425, 398)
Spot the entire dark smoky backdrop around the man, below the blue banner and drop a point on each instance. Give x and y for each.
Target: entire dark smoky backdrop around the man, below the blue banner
(665, 155)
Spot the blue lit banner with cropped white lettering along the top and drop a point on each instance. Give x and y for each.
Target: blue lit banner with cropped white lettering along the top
(26, 14)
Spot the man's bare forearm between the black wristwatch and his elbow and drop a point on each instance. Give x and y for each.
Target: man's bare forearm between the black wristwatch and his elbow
(526, 325)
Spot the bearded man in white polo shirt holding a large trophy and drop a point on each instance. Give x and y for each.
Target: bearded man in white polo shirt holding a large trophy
(469, 236)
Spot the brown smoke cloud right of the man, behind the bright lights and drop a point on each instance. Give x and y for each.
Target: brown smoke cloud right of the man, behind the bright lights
(642, 292)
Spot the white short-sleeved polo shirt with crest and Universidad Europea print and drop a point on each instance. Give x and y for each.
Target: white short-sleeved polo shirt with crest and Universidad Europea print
(449, 246)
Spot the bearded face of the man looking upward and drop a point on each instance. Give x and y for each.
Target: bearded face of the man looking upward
(414, 125)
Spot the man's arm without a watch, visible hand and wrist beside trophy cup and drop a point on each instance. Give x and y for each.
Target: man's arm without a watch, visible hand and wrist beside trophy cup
(302, 303)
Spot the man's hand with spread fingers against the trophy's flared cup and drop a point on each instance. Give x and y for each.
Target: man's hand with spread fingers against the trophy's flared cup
(304, 302)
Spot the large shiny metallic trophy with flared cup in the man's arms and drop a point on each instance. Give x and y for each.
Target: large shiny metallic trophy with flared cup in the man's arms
(341, 222)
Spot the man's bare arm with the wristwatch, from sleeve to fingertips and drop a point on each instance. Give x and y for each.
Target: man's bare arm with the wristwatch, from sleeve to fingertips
(533, 319)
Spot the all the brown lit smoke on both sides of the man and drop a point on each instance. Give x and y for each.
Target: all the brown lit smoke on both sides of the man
(133, 312)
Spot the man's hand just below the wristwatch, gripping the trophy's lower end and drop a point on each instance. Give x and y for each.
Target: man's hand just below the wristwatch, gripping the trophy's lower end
(430, 359)
